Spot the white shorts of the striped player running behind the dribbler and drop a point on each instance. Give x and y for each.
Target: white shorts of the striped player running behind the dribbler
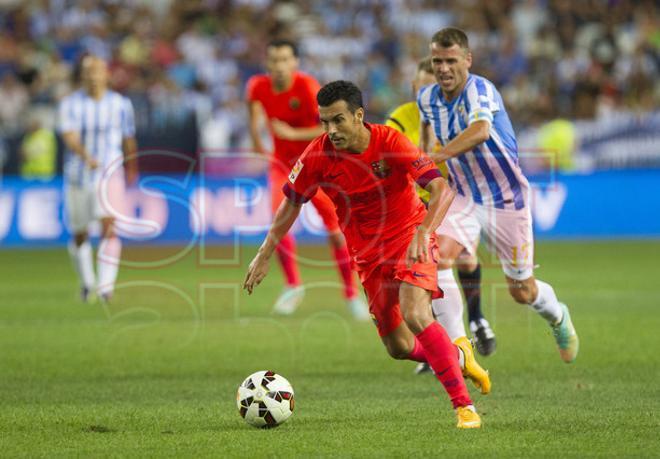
(506, 232)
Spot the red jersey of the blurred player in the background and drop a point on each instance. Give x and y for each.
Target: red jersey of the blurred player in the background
(296, 106)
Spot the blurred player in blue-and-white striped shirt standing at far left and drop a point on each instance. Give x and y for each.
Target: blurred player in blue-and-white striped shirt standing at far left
(97, 127)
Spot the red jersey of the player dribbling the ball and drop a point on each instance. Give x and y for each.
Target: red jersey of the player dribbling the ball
(373, 191)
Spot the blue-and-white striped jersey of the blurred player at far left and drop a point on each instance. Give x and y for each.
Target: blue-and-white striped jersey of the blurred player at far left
(101, 124)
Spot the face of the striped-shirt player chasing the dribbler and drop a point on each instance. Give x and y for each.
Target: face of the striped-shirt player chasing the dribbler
(450, 66)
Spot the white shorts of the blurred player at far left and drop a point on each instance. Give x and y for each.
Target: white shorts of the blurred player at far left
(93, 202)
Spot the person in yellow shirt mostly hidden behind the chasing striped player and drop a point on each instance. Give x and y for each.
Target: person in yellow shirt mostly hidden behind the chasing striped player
(406, 119)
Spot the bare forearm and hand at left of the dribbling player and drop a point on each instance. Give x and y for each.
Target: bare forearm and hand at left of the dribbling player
(284, 219)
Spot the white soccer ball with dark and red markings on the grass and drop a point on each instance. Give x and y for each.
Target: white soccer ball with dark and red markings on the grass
(265, 399)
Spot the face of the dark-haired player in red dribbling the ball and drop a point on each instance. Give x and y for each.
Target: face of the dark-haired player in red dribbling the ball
(341, 125)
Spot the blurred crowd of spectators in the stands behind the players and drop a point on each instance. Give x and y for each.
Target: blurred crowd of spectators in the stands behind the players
(181, 58)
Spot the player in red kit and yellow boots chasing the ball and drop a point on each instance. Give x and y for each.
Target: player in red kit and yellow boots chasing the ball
(369, 172)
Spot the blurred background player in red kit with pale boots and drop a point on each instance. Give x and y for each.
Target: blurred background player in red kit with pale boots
(288, 99)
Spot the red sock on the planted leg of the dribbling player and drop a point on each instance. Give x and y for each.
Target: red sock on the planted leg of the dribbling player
(440, 353)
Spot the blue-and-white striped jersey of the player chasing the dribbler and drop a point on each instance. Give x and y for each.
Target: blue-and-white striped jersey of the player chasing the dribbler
(490, 173)
